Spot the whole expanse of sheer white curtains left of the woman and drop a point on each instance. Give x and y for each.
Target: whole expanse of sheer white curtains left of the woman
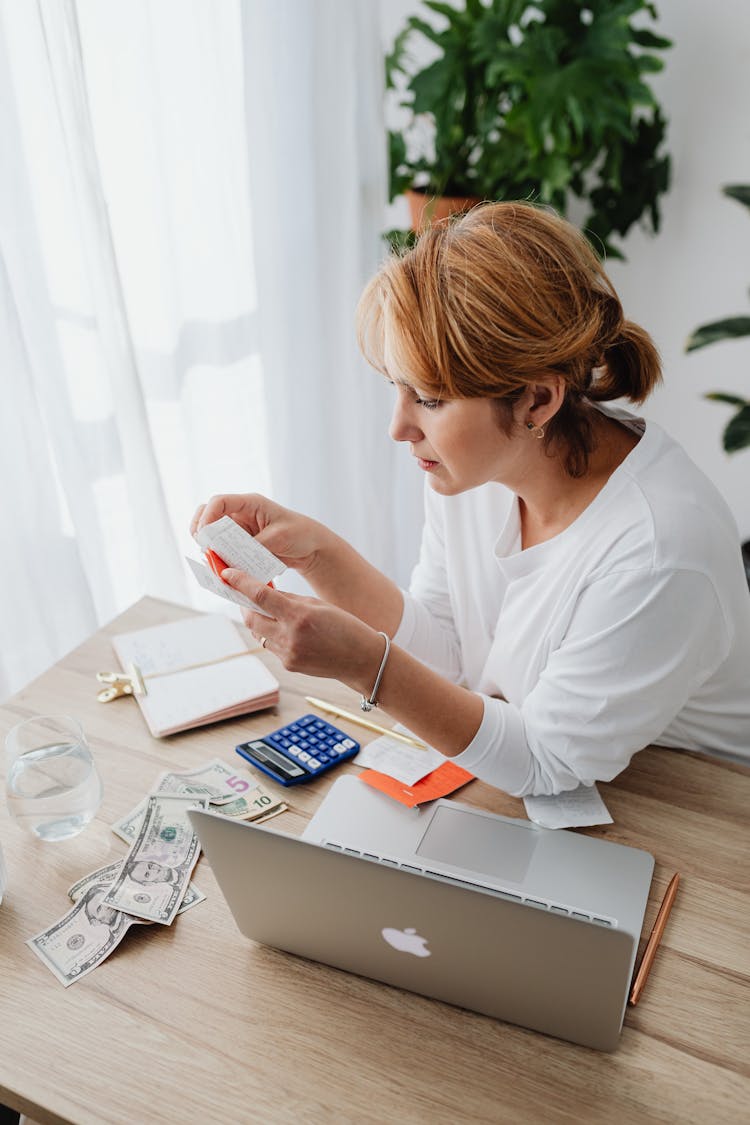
(192, 195)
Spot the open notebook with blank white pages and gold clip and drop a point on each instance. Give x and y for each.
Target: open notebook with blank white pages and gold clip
(196, 671)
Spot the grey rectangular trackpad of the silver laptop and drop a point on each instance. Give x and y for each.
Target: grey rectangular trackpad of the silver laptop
(477, 843)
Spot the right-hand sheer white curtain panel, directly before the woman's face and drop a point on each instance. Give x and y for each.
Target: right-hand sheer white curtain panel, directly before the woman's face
(314, 97)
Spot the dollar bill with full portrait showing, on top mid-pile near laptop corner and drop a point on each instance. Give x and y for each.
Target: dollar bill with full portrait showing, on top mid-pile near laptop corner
(155, 876)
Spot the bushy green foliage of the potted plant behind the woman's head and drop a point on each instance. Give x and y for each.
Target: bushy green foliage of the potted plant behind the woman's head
(544, 101)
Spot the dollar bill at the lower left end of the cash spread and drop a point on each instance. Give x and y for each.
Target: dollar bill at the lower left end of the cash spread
(84, 938)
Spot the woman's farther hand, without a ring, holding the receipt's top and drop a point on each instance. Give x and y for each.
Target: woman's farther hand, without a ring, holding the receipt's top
(295, 539)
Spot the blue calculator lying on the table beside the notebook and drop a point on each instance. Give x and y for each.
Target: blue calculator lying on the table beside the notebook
(300, 752)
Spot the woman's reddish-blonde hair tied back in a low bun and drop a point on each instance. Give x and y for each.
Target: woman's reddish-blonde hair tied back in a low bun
(489, 303)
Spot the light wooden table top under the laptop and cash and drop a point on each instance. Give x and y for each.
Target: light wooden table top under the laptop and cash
(195, 1024)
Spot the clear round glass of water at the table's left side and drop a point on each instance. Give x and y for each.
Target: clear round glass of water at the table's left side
(52, 785)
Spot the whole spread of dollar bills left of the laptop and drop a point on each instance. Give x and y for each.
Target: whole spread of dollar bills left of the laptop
(152, 884)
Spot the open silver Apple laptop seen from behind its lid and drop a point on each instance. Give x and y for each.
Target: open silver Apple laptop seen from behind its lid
(525, 924)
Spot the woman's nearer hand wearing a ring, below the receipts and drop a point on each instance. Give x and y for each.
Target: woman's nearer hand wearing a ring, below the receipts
(311, 636)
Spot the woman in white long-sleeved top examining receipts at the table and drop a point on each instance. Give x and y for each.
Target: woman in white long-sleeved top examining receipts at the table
(580, 592)
